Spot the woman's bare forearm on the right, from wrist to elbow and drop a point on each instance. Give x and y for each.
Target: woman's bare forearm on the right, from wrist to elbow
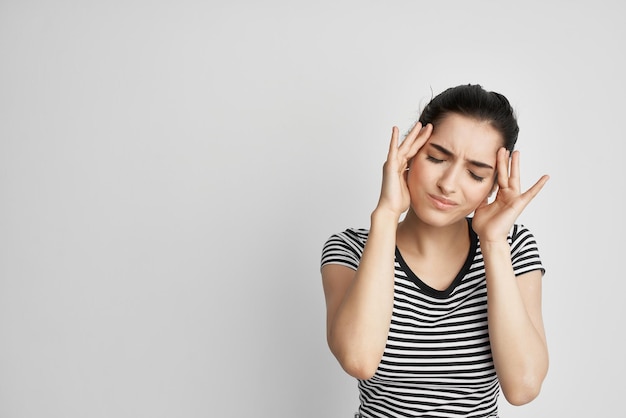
(518, 346)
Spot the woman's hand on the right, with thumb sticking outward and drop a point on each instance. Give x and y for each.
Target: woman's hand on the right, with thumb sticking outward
(493, 221)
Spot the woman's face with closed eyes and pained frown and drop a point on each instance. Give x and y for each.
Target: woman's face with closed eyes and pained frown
(454, 171)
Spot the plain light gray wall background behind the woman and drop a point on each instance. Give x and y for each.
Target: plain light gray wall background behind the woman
(170, 170)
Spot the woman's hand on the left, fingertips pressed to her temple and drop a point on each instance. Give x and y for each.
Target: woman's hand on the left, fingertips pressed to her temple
(394, 196)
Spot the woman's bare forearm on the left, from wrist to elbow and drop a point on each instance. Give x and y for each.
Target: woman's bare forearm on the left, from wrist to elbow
(358, 333)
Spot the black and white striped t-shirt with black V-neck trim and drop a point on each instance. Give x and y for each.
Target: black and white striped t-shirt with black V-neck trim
(437, 361)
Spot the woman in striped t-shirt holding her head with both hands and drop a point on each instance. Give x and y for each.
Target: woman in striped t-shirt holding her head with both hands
(436, 311)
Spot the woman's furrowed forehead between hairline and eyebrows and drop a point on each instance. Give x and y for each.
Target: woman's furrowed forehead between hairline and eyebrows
(467, 136)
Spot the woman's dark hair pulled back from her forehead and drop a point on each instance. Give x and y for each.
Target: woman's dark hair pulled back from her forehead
(473, 101)
